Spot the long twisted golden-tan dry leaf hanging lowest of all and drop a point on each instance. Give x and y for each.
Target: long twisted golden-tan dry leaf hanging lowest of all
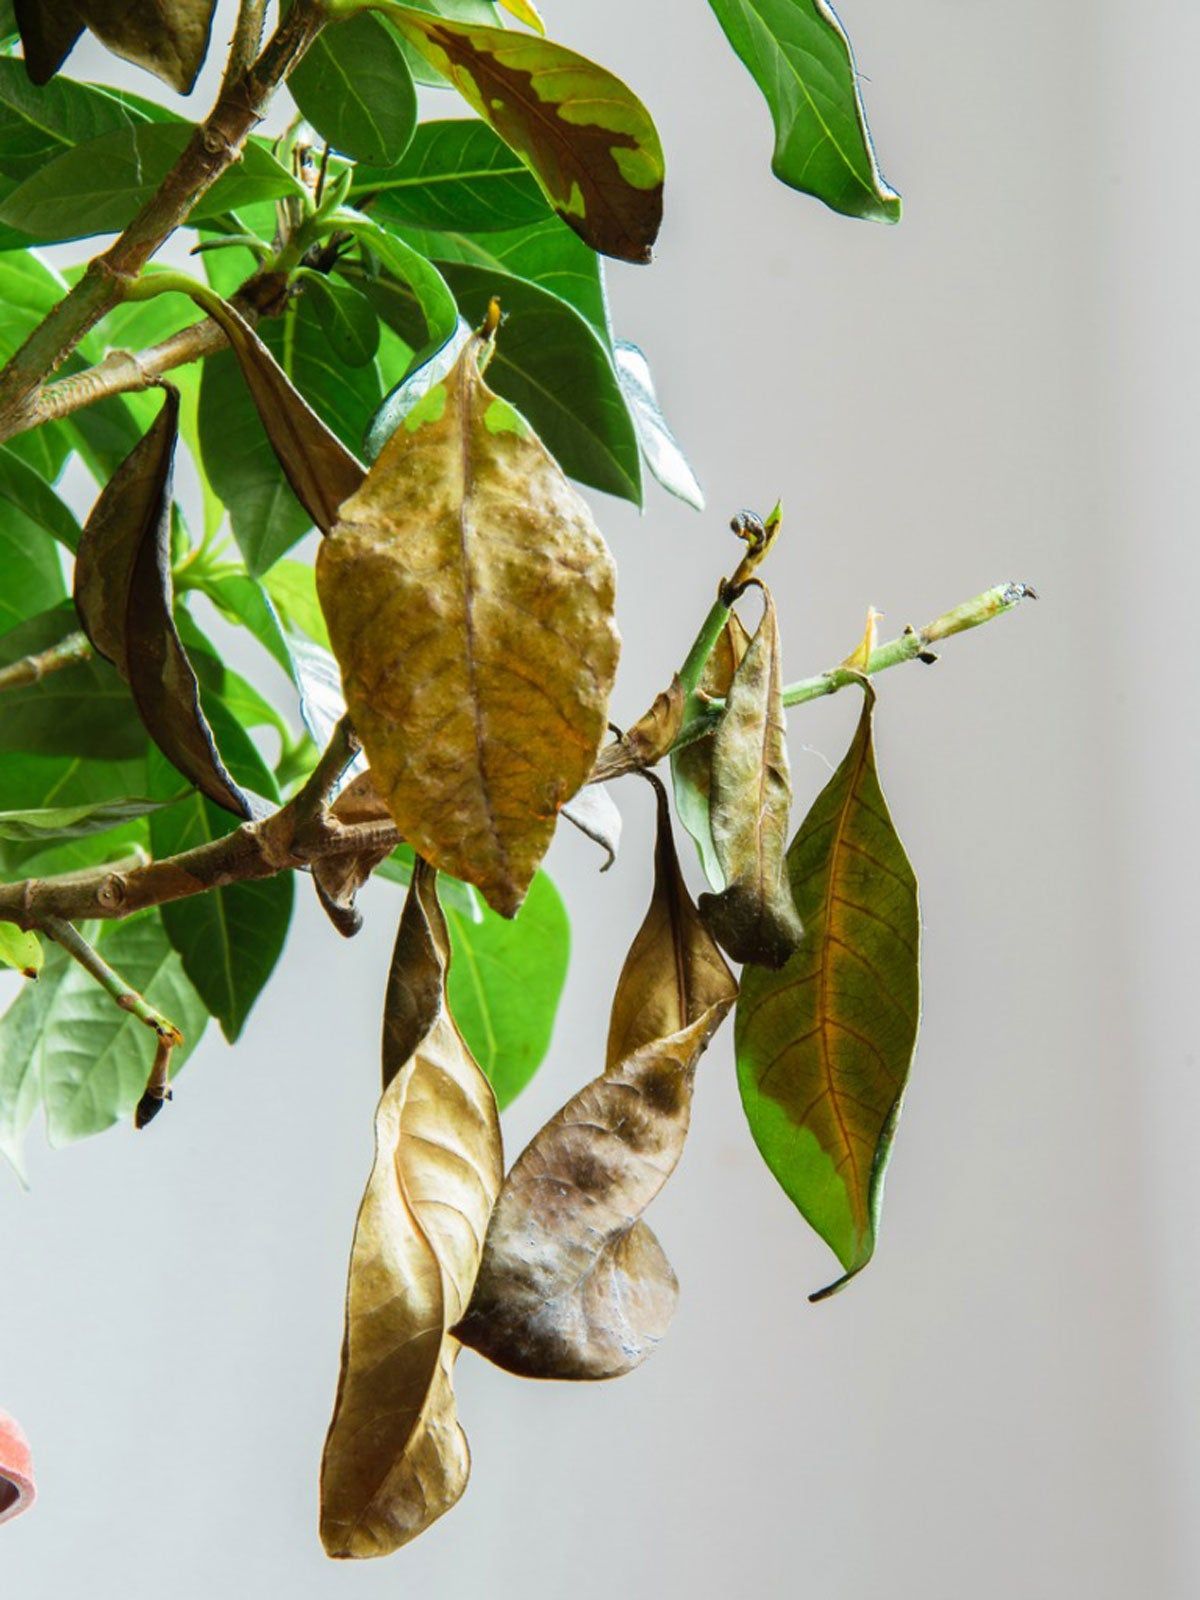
(396, 1457)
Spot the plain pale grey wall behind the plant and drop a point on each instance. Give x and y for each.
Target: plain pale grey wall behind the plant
(1007, 1404)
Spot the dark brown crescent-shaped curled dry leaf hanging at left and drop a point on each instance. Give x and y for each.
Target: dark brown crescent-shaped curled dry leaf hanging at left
(126, 601)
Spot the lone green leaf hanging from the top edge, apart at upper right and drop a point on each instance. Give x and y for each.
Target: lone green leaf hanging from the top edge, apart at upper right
(801, 58)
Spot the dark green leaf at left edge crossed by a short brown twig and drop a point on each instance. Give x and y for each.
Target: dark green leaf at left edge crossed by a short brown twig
(79, 711)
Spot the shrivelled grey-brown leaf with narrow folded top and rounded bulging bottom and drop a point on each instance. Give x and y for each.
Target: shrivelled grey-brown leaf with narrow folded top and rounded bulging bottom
(574, 1284)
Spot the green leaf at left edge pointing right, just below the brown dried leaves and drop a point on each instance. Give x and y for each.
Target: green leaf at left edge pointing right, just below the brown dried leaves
(41, 124)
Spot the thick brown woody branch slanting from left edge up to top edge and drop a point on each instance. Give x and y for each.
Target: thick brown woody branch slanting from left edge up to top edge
(212, 150)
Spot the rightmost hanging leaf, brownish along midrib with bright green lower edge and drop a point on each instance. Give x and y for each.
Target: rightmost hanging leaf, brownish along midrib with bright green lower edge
(825, 1047)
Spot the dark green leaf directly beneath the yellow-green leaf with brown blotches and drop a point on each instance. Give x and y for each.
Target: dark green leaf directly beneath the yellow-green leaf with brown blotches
(455, 175)
